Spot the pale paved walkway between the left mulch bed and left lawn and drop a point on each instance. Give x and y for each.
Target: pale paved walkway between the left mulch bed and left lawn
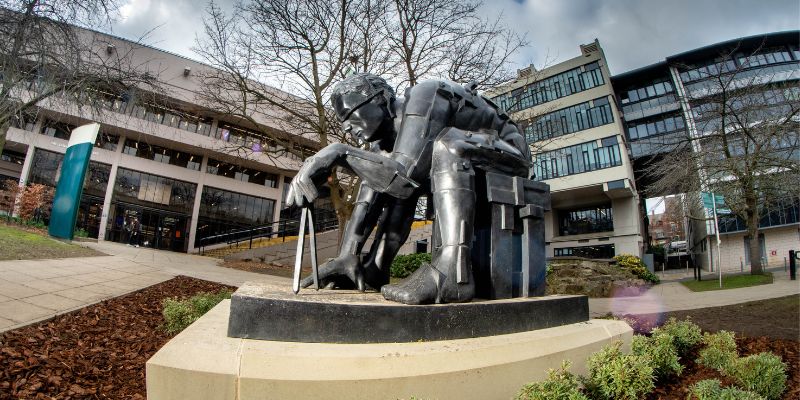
(33, 290)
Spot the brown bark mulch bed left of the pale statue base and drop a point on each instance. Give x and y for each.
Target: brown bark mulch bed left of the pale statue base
(97, 352)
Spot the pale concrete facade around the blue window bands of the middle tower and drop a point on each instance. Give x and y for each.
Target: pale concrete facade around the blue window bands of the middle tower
(611, 187)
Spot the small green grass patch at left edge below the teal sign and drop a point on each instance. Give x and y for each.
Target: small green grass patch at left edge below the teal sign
(19, 244)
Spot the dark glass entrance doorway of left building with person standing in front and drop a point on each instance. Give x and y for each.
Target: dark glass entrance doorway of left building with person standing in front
(159, 229)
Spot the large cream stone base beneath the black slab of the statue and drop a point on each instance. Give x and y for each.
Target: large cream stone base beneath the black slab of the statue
(202, 362)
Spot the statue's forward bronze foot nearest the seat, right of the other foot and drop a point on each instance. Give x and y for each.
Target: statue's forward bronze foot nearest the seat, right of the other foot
(428, 285)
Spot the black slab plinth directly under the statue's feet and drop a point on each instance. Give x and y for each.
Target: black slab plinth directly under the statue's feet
(260, 311)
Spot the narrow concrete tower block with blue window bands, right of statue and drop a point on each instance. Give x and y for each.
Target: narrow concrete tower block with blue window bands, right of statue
(578, 143)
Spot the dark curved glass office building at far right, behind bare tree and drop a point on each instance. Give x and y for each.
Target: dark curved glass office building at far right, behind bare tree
(665, 103)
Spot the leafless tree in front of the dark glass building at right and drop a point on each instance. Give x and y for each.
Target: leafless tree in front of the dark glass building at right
(744, 144)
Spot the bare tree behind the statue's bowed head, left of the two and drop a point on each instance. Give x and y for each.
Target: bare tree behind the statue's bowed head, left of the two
(300, 47)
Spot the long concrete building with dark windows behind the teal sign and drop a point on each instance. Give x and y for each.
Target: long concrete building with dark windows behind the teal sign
(183, 171)
